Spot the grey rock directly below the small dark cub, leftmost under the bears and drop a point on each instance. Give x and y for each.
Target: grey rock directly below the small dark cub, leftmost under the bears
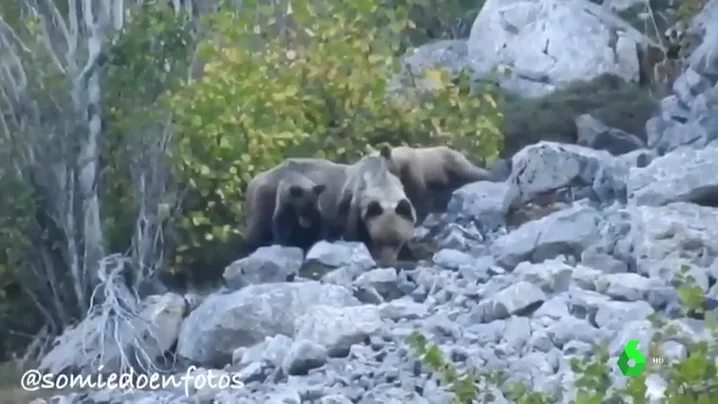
(267, 264)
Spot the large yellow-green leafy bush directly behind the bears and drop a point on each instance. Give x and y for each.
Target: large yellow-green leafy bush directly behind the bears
(316, 89)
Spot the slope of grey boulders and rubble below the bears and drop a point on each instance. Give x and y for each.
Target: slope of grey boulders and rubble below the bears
(577, 247)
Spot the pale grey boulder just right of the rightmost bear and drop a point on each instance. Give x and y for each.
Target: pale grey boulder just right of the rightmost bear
(549, 166)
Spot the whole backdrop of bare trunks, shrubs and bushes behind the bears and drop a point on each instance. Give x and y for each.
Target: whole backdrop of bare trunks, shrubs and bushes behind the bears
(127, 138)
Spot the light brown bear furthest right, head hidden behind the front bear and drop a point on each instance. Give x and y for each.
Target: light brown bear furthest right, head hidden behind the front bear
(431, 172)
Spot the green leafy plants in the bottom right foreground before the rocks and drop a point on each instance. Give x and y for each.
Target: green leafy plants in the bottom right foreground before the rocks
(689, 380)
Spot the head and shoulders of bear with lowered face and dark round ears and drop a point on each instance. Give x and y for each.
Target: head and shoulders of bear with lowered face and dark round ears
(377, 210)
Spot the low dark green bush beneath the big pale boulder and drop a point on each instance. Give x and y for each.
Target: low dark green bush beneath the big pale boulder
(608, 98)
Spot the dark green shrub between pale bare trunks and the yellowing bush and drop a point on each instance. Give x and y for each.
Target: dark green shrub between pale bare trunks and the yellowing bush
(149, 57)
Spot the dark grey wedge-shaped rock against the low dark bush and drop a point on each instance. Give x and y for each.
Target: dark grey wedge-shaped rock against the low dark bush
(596, 135)
